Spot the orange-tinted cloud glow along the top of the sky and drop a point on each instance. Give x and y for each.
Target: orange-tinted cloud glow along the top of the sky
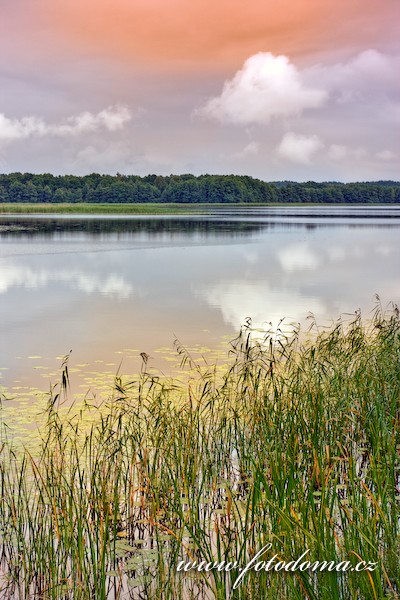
(219, 32)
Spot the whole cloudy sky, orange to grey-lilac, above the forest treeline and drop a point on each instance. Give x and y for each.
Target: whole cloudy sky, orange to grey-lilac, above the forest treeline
(290, 89)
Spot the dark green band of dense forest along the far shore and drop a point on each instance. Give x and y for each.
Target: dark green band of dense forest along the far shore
(95, 188)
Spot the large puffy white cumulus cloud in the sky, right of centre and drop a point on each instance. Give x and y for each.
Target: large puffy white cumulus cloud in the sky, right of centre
(267, 86)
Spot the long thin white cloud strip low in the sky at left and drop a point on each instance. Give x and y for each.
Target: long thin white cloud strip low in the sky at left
(111, 119)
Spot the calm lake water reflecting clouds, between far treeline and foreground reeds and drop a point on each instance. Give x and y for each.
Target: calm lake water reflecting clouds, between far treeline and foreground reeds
(111, 287)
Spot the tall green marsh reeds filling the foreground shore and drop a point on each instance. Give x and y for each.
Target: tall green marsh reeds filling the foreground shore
(296, 444)
